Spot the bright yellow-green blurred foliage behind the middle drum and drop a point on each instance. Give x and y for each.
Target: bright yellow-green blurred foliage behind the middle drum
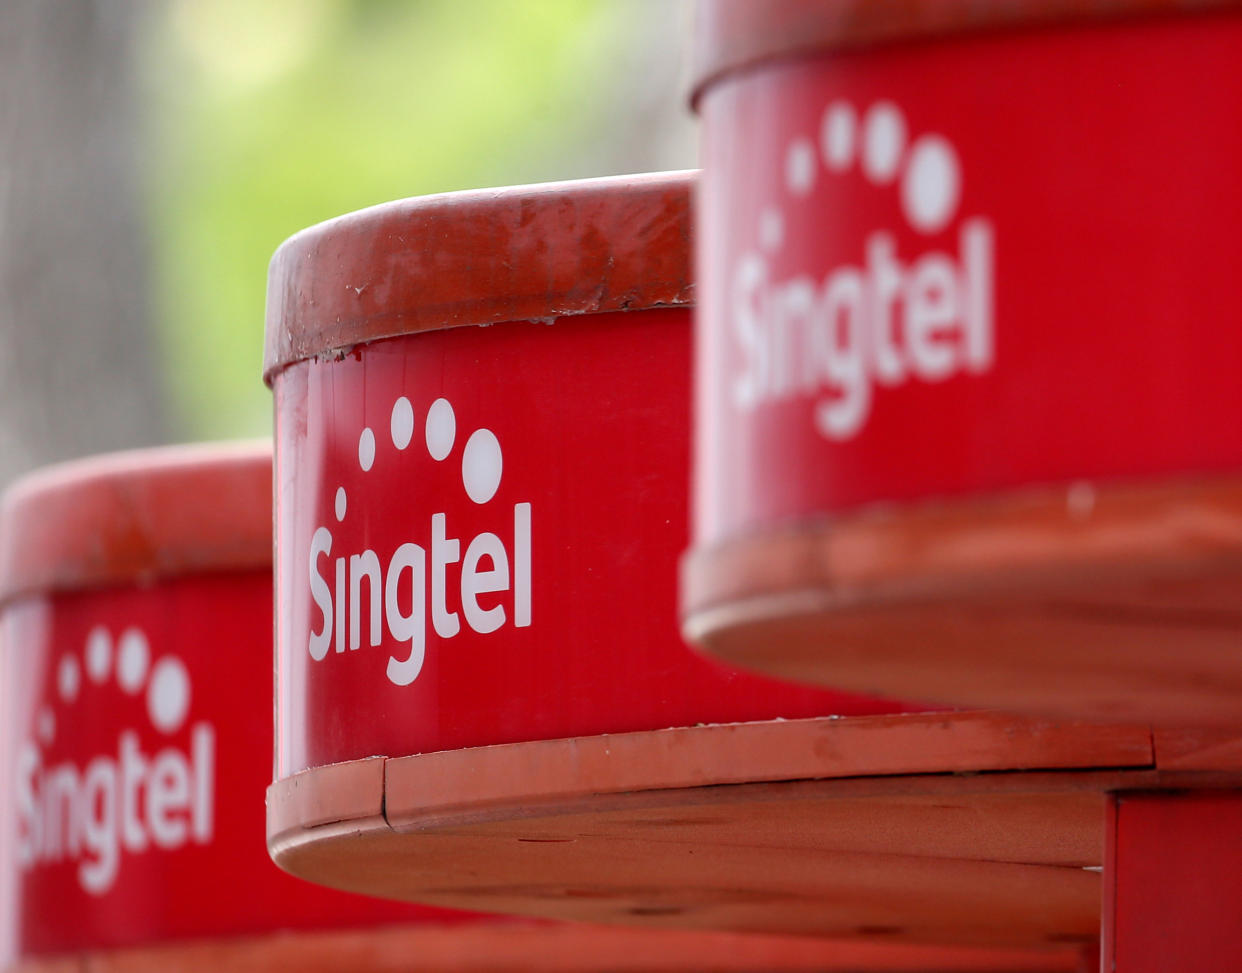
(271, 116)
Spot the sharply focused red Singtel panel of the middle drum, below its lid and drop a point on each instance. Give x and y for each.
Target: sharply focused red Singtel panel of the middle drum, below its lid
(479, 532)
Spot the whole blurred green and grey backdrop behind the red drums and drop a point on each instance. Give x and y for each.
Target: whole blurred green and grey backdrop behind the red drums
(155, 153)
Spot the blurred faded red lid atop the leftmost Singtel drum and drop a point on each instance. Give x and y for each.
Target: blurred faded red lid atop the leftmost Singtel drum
(137, 516)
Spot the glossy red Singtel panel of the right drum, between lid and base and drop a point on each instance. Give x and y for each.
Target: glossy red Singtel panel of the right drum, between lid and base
(966, 267)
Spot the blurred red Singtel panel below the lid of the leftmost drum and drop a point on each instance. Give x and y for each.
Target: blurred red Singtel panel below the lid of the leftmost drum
(135, 793)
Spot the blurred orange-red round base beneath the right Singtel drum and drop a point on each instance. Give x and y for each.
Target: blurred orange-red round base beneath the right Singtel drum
(1085, 603)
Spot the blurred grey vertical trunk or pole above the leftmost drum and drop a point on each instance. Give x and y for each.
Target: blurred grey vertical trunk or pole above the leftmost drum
(78, 366)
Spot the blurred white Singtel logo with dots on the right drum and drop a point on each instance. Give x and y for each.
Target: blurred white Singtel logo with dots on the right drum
(880, 322)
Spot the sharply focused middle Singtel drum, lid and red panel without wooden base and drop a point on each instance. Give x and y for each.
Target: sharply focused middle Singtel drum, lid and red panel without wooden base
(478, 528)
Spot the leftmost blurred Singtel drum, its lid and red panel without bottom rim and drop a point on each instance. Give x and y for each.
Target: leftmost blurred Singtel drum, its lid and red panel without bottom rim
(136, 605)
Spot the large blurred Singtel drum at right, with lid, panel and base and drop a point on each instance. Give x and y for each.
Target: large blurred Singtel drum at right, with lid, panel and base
(968, 414)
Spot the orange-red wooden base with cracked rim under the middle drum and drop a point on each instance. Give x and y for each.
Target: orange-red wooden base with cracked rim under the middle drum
(954, 828)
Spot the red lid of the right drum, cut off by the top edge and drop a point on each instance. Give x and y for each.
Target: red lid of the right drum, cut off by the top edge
(738, 34)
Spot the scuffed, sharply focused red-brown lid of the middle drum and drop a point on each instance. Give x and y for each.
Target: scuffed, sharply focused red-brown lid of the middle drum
(480, 258)
